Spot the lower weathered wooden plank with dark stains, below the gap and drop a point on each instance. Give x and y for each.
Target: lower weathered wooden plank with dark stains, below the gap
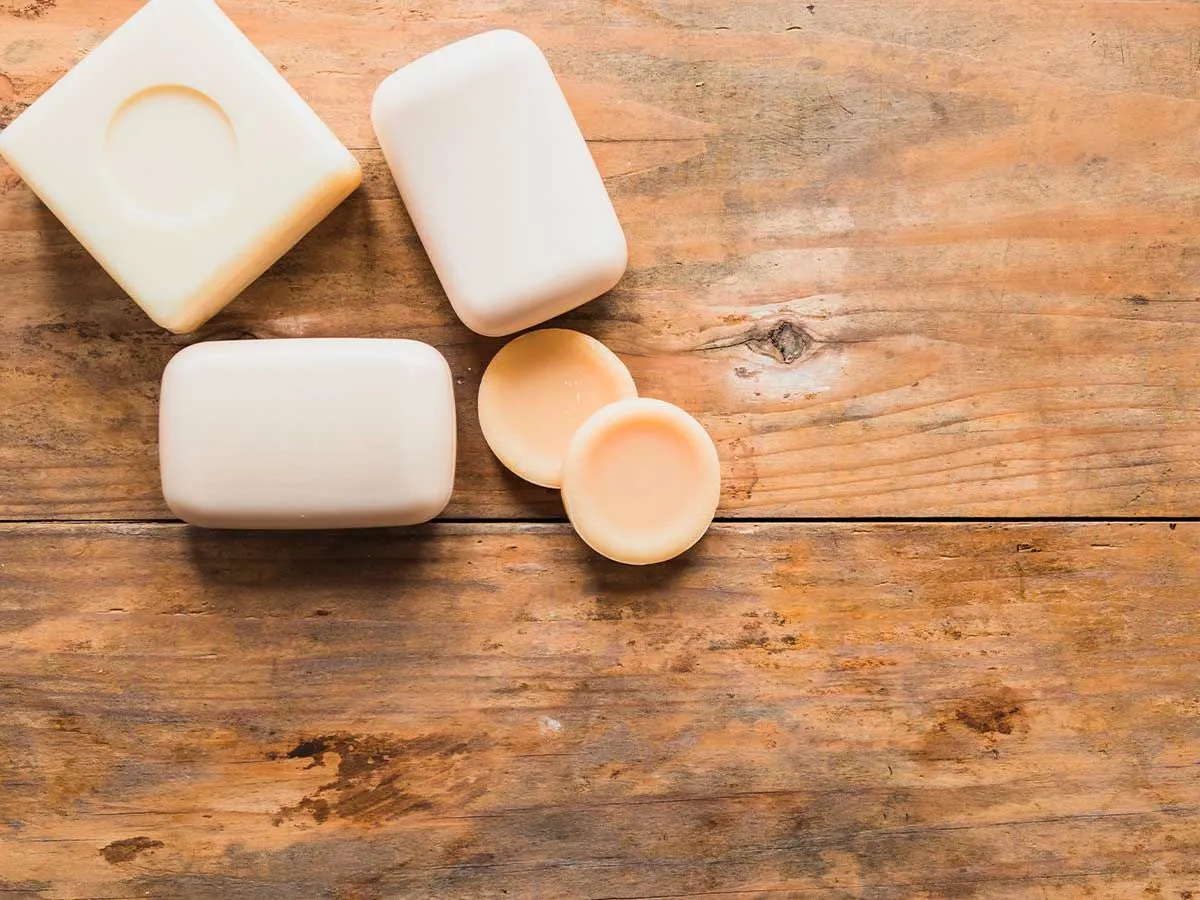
(488, 711)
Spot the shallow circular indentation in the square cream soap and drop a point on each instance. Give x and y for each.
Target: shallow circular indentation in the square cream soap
(172, 152)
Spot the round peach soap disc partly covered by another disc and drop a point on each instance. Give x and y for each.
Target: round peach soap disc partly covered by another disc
(538, 391)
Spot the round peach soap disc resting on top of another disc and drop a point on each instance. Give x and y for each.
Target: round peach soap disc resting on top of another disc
(641, 482)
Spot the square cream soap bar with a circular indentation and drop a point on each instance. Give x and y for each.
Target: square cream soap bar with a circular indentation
(181, 159)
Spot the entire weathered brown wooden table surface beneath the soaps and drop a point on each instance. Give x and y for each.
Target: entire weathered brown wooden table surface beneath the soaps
(928, 274)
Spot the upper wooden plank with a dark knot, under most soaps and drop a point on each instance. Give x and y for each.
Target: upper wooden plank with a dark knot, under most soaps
(904, 260)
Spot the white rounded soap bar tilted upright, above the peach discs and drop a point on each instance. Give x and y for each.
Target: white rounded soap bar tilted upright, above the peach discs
(500, 183)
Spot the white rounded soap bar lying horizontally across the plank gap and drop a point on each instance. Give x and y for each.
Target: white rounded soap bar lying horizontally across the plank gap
(308, 434)
